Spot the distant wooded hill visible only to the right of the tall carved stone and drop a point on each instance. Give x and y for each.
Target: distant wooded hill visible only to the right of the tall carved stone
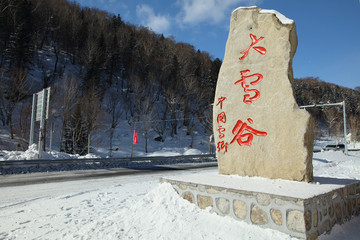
(310, 91)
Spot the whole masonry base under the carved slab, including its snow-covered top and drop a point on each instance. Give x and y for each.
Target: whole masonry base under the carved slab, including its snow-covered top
(302, 210)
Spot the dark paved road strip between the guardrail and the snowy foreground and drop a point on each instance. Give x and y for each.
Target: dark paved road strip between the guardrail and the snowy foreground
(47, 177)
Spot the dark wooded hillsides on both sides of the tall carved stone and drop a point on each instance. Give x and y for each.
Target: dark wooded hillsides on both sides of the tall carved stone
(102, 71)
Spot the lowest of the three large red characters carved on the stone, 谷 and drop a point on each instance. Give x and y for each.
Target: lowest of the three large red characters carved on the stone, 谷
(245, 138)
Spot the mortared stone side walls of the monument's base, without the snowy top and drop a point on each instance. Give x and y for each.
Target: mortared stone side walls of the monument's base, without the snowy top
(302, 218)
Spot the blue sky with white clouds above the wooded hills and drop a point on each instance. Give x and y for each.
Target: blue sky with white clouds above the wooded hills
(328, 30)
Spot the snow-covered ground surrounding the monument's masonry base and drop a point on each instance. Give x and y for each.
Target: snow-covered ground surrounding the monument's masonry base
(138, 207)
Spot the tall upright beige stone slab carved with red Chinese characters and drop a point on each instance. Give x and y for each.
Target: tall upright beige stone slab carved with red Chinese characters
(258, 127)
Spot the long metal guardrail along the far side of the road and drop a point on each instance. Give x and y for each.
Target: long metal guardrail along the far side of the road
(49, 165)
